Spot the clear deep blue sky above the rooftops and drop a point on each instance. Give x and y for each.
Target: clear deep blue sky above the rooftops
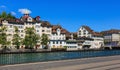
(71, 14)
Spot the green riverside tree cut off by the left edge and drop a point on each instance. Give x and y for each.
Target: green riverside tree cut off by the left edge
(3, 37)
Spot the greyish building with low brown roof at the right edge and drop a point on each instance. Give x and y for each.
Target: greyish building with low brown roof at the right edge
(111, 38)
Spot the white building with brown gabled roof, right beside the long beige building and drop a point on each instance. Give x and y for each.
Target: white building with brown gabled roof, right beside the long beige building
(58, 37)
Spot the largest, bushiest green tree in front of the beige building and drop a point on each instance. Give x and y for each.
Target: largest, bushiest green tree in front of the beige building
(31, 38)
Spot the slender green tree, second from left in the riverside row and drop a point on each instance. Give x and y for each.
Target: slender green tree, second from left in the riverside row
(16, 38)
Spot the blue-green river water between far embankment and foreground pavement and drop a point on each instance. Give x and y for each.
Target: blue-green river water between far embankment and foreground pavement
(39, 57)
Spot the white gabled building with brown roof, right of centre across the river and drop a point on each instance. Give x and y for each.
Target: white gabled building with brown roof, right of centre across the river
(87, 32)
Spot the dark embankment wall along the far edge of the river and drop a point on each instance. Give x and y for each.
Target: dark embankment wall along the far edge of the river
(7, 51)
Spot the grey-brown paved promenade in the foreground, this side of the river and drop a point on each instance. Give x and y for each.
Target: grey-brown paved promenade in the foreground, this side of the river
(96, 63)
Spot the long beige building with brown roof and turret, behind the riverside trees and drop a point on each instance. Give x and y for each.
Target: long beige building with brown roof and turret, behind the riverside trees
(41, 27)
